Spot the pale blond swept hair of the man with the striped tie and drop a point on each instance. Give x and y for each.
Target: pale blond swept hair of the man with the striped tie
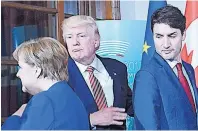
(79, 20)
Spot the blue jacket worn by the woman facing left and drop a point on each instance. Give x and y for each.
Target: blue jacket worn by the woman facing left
(58, 108)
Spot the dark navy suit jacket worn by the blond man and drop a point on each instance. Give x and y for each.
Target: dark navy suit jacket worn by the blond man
(121, 90)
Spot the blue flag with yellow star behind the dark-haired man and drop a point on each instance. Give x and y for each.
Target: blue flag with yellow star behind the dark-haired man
(148, 46)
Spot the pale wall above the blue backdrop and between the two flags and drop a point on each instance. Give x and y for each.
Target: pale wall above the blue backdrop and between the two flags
(138, 9)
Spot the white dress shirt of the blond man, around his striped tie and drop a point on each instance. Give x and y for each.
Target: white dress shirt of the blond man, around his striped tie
(102, 75)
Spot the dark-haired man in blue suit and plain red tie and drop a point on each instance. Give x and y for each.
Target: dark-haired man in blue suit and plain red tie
(165, 93)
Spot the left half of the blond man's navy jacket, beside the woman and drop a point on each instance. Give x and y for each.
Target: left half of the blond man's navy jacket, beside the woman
(77, 82)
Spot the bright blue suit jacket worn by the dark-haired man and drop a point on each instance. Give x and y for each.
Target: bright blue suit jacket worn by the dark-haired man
(160, 101)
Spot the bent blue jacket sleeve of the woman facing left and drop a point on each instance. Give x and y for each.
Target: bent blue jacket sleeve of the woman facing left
(37, 115)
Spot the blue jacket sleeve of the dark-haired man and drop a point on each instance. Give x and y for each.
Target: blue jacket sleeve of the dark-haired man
(146, 102)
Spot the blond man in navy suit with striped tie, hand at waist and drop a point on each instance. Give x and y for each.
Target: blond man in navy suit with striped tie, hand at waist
(100, 83)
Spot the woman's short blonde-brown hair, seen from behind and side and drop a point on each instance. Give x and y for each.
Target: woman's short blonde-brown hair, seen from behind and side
(46, 53)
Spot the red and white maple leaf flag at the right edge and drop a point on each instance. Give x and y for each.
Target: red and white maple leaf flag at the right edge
(189, 51)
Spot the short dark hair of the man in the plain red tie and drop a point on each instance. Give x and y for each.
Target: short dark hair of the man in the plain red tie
(171, 16)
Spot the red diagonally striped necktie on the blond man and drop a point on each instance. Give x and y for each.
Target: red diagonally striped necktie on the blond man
(99, 95)
